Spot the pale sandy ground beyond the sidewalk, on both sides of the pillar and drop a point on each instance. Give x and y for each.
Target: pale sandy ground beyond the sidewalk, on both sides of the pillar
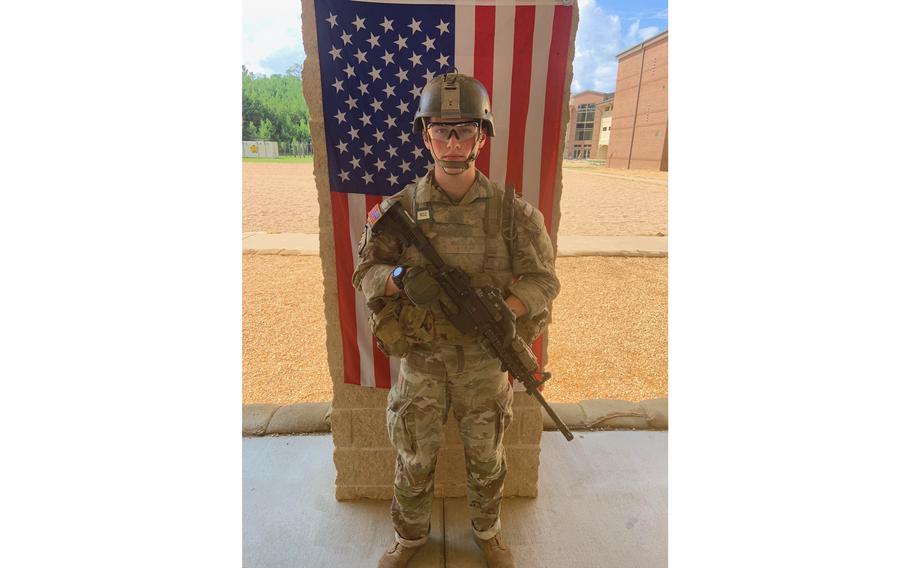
(281, 198)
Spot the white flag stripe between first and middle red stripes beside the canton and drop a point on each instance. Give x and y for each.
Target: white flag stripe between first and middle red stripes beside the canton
(502, 90)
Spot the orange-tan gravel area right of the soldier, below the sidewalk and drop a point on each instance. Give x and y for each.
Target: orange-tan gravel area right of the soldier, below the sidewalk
(608, 338)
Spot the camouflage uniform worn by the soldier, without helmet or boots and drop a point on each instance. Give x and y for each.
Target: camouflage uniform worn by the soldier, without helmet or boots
(443, 367)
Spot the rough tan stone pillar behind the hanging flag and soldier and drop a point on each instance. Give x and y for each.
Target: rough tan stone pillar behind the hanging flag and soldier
(364, 458)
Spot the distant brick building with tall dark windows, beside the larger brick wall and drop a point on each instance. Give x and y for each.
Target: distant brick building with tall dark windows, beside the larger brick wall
(585, 135)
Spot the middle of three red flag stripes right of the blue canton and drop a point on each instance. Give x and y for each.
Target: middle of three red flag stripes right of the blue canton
(522, 49)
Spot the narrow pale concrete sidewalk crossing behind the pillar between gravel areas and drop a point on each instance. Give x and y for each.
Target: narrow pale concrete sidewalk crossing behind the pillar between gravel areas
(568, 245)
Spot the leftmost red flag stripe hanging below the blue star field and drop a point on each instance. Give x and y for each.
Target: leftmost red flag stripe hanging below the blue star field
(344, 269)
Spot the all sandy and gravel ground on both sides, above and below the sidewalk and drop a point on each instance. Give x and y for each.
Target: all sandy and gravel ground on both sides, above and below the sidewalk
(608, 338)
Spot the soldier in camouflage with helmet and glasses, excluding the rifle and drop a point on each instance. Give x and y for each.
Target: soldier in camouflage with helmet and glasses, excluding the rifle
(499, 241)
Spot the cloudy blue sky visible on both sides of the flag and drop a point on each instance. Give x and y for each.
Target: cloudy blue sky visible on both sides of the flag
(272, 43)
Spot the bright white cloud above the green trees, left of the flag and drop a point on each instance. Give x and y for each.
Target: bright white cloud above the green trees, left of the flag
(270, 28)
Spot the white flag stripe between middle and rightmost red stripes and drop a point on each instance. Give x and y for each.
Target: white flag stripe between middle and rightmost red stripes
(543, 32)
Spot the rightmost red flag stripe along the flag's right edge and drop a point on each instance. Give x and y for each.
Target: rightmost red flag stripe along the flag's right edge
(553, 106)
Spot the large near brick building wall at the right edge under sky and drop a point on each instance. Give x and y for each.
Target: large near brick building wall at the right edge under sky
(638, 133)
